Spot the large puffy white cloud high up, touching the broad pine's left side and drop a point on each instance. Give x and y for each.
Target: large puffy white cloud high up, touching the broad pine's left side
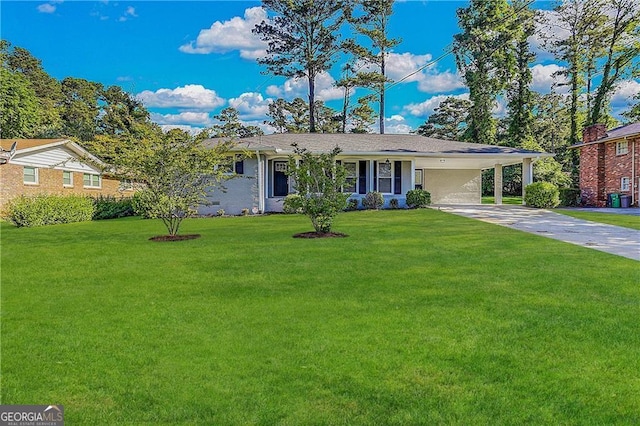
(234, 34)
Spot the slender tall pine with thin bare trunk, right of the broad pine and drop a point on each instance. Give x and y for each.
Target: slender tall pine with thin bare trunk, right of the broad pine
(373, 23)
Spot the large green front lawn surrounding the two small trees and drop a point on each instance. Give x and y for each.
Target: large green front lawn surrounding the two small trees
(418, 317)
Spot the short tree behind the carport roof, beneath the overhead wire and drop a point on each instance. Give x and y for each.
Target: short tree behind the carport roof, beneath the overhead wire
(448, 121)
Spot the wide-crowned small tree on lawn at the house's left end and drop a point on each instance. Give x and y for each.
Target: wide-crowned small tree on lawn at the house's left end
(175, 171)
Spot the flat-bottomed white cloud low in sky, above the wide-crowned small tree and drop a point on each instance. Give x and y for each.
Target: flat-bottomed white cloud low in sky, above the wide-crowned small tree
(192, 96)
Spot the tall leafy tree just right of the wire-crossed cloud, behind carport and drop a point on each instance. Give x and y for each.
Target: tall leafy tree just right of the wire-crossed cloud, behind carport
(485, 59)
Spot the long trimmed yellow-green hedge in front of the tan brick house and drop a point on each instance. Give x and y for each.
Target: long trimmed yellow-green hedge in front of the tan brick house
(43, 210)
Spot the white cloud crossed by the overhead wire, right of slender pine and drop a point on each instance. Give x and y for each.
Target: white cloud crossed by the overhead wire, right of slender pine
(429, 79)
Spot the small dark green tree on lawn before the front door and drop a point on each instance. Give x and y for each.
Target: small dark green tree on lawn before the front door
(319, 181)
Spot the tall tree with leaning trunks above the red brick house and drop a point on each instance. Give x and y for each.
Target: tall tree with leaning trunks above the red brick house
(621, 39)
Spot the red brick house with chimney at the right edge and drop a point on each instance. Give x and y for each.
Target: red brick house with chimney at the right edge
(609, 163)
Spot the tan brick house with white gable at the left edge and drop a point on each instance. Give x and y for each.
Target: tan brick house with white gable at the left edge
(52, 166)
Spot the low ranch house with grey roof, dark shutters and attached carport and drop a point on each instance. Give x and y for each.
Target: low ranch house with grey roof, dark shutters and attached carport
(390, 164)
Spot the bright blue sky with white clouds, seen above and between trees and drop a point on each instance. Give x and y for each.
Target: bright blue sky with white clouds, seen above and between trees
(189, 60)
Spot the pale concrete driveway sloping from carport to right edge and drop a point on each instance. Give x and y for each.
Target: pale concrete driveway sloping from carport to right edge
(608, 238)
